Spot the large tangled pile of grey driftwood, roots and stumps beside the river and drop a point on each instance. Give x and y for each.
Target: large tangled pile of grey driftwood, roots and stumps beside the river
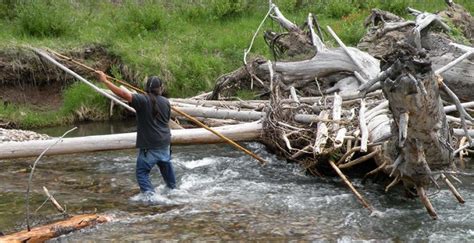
(341, 107)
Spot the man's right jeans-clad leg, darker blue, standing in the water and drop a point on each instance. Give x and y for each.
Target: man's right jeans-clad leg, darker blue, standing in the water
(163, 158)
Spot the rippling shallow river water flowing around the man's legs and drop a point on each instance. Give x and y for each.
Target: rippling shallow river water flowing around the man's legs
(223, 195)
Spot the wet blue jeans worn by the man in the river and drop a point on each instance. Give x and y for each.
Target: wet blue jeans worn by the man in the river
(147, 158)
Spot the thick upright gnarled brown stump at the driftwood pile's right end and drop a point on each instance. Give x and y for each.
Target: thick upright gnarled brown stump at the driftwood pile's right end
(422, 130)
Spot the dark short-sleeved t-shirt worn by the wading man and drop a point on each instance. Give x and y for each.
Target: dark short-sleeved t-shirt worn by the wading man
(152, 132)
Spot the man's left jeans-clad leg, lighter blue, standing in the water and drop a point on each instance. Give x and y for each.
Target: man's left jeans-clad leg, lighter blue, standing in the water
(145, 163)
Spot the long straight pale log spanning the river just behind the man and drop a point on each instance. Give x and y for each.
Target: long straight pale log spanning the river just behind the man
(241, 132)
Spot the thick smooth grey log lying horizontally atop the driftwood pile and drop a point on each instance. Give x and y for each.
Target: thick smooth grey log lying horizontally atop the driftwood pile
(328, 67)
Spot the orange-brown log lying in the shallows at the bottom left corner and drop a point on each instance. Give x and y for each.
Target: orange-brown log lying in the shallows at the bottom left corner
(46, 232)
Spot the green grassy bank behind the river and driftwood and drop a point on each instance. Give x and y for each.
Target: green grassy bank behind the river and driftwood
(188, 43)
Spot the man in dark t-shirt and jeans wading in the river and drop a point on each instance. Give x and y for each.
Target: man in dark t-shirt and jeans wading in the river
(153, 133)
